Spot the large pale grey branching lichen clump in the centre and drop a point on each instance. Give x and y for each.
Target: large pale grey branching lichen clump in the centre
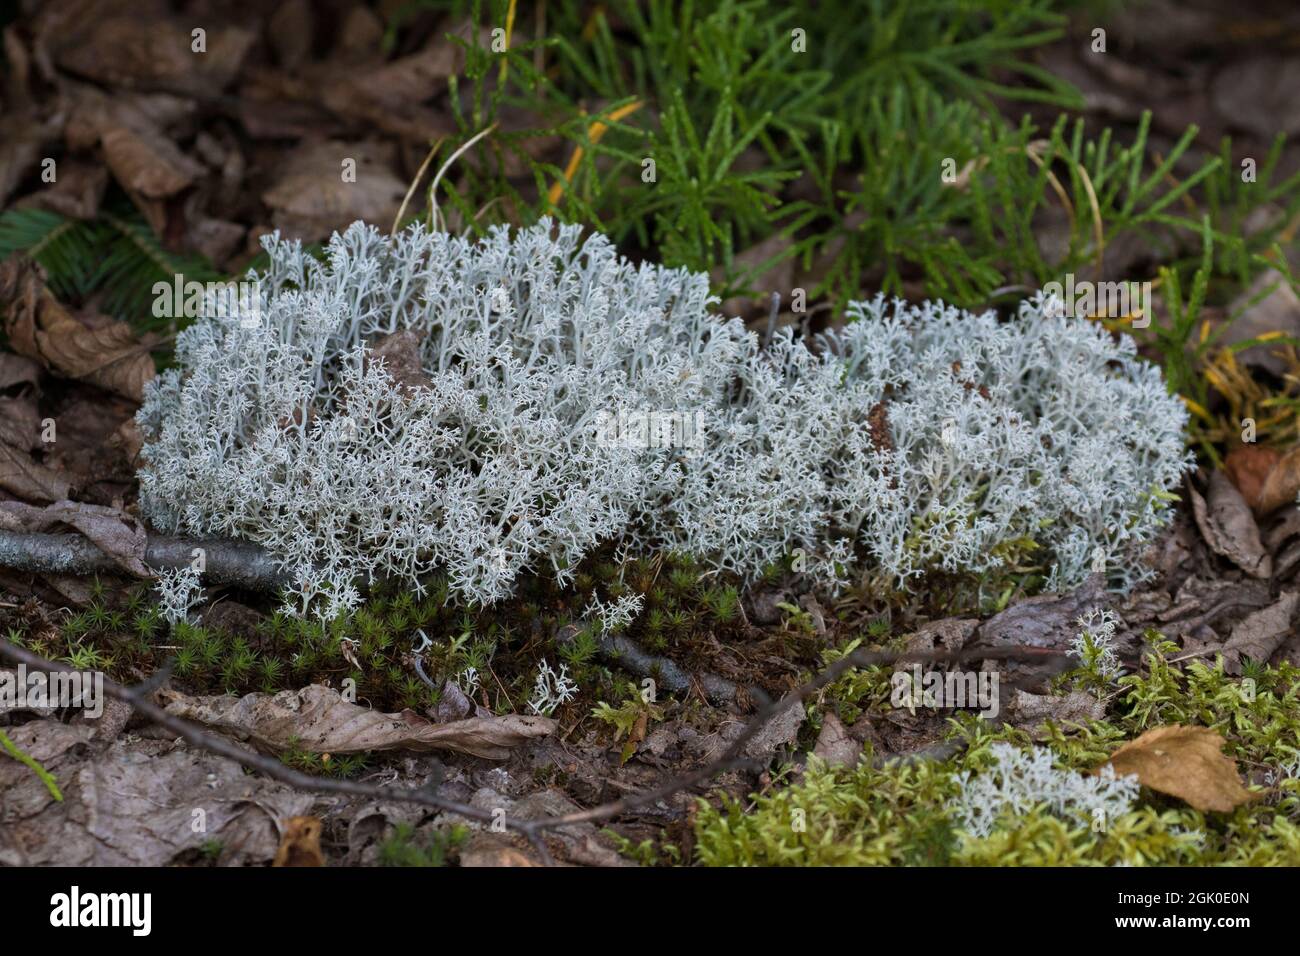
(915, 439)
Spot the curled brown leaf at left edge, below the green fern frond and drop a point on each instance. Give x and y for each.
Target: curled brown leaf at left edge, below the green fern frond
(41, 328)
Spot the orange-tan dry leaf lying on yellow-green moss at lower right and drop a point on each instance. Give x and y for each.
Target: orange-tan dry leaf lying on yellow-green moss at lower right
(1186, 763)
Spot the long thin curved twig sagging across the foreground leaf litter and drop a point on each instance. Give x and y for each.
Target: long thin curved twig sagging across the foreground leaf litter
(535, 830)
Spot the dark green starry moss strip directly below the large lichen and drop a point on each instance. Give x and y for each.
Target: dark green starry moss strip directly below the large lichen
(124, 634)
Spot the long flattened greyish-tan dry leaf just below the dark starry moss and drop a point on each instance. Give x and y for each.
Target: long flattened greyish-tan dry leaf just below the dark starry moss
(319, 721)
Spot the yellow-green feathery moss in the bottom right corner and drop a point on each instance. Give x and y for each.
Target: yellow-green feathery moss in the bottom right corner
(904, 815)
